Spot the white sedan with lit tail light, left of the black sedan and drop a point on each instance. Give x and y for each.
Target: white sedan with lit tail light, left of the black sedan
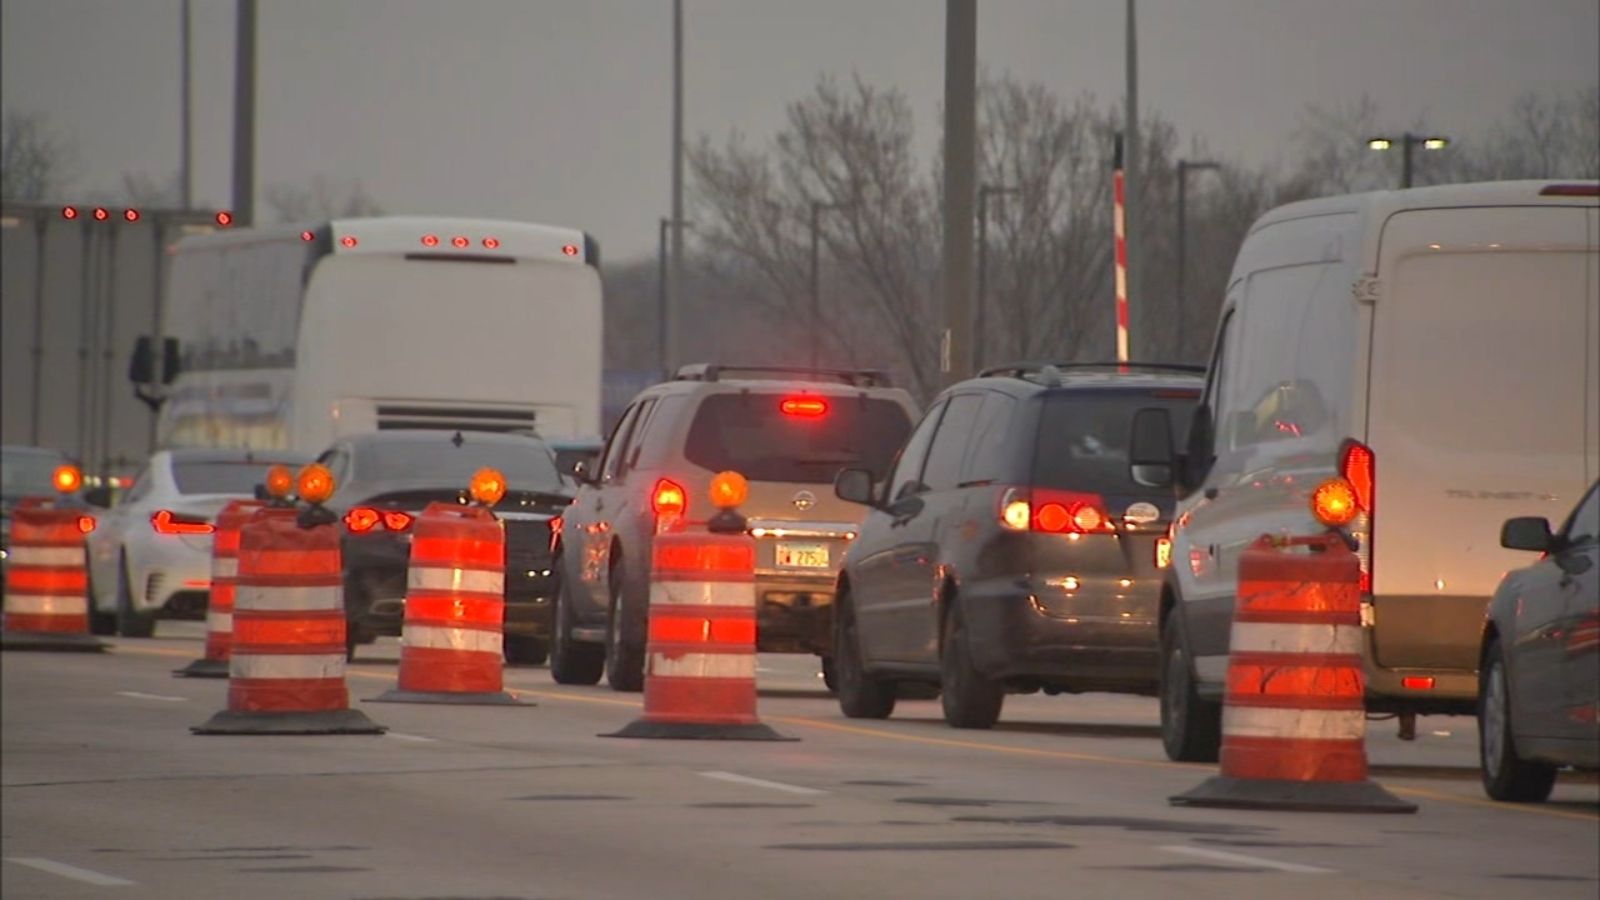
(151, 555)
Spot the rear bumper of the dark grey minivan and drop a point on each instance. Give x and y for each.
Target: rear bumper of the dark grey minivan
(1017, 635)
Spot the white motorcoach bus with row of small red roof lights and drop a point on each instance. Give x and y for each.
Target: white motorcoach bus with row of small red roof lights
(292, 337)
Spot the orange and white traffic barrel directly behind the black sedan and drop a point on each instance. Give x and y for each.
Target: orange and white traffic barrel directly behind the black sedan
(452, 643)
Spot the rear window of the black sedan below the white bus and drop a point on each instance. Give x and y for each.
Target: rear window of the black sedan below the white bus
(527, 467)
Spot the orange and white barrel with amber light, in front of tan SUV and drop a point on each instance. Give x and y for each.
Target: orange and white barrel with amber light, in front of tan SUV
(700, 669)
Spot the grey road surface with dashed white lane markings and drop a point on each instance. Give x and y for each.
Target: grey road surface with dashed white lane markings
(108, 795)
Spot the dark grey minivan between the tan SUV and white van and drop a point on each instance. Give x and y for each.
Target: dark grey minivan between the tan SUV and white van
(1010, 548)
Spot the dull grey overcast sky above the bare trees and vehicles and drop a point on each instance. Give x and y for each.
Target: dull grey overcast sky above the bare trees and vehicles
(561, 111)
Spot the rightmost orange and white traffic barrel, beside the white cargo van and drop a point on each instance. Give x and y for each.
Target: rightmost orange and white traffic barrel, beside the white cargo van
(1295, 717)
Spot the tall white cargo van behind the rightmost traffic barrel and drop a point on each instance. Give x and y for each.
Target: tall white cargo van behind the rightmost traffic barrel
(1441, 348)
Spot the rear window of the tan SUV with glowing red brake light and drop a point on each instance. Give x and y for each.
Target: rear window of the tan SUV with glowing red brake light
(753, 435)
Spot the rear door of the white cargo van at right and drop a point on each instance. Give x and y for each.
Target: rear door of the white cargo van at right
(1476, 411)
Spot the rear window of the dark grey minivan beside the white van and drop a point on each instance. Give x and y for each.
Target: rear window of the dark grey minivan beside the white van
(1084, 438)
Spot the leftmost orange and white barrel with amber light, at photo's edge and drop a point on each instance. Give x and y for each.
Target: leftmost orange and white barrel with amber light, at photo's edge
(47, 579)
